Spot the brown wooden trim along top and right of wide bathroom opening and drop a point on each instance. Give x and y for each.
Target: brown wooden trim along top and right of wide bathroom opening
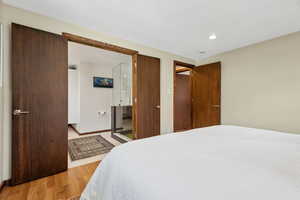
(118, 49)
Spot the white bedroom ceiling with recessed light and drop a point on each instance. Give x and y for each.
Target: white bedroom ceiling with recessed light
(178, 26)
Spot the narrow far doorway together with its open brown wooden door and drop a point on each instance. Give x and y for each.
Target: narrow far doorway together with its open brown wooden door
(197, 95)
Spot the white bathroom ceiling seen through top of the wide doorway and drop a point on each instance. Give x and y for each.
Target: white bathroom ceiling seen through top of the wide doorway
(79, 53)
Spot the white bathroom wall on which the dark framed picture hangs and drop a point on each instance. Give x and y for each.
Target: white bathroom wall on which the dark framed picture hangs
(94, 100)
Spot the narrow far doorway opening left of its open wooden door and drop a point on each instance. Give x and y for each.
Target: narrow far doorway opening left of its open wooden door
(182, 96)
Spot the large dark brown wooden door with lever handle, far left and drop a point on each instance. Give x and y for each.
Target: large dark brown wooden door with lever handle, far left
(40, 81)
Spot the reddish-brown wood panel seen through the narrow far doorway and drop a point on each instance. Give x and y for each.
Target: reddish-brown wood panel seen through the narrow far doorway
(182, 103)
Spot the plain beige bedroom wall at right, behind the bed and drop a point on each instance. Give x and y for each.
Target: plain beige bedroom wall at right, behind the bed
(261, 85)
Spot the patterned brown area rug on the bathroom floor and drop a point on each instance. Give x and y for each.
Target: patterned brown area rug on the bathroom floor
(85, 147)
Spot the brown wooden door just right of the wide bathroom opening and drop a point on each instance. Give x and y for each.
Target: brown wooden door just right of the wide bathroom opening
(147, 96)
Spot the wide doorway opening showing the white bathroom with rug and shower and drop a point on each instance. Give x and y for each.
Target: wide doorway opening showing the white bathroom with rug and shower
(99, 102)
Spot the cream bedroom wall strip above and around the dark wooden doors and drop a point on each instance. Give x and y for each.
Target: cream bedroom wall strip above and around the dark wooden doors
(11, 14)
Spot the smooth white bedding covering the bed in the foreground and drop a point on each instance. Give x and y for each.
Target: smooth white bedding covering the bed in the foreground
(215, 163)
